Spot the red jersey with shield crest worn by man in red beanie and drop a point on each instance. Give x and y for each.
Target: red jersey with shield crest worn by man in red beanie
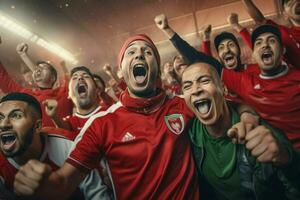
(149, 155)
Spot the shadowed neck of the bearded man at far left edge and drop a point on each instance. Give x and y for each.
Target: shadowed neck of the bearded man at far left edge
(33, 152)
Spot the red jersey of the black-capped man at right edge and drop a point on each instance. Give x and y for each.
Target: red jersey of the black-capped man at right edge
(276, 99)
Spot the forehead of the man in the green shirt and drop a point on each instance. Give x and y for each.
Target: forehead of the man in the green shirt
(195, 70)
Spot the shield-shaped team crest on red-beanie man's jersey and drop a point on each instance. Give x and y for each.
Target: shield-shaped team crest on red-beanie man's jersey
(175, 123)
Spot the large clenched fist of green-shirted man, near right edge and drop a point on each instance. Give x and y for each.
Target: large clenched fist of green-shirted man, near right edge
(264, 146)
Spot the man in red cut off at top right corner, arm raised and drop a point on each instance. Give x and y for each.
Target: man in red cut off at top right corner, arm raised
(290, 35)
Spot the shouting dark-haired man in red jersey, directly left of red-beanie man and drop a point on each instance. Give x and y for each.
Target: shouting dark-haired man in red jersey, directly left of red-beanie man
(83, 92)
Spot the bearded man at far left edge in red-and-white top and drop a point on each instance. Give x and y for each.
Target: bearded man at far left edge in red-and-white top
(22, 139)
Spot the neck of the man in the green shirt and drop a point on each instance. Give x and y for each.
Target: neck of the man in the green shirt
(219, 128)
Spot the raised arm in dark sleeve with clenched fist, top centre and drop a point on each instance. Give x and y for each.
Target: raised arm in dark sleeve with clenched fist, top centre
(185, 49)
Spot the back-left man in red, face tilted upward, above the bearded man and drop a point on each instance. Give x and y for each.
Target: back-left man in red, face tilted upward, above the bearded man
(44, 76)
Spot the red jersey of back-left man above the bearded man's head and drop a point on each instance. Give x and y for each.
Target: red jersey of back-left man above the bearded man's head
(60, 94)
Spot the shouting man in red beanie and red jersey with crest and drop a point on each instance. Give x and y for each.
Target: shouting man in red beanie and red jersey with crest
(142, 137)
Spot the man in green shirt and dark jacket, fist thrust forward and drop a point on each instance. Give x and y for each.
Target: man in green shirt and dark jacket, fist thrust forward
(248, 170)
